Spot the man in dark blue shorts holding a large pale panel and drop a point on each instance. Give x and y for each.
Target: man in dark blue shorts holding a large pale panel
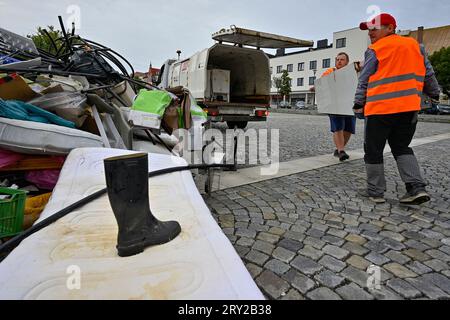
(342, 127)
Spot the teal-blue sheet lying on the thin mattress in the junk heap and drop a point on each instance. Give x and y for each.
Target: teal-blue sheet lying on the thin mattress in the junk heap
(19, 110)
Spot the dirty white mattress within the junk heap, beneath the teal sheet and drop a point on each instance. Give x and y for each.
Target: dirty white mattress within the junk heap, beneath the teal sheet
(42, 138)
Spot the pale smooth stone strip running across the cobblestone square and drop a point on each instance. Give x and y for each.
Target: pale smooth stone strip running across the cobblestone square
(253, 175)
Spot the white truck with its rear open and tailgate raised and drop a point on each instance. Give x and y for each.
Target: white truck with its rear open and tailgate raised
(231, 80)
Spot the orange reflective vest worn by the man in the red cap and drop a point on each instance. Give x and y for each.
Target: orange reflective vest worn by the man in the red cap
(397, 85)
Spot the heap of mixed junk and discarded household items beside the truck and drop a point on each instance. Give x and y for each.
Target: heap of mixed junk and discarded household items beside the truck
(82, 96)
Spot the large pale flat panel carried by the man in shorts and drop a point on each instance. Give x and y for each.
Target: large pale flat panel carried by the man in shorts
(335, 93)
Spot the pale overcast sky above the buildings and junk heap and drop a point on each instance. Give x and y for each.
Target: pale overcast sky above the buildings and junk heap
(152, 31)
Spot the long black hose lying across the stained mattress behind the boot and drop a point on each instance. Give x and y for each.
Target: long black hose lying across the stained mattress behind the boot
(14, 242)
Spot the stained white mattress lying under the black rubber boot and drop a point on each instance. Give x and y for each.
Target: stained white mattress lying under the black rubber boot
(199, 264)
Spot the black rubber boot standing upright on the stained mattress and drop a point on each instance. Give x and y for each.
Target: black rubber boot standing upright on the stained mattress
(127, 185)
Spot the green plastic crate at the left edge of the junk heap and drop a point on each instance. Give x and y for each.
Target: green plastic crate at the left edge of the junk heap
(11, 212)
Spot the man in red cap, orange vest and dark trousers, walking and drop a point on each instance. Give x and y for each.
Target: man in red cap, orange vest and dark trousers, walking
(396, 72)
